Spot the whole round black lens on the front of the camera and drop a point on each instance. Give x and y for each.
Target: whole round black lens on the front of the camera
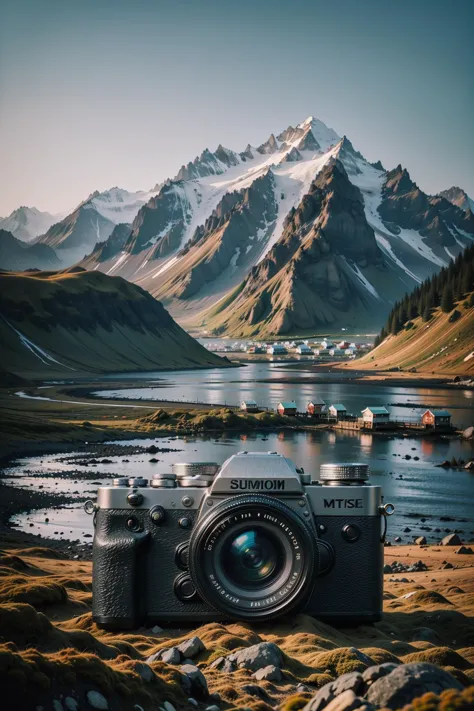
(253, 557)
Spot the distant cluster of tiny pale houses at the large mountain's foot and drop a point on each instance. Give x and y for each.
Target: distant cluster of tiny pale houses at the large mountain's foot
(324, 349)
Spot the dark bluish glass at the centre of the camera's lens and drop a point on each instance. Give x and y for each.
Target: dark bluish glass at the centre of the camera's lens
(252, 558)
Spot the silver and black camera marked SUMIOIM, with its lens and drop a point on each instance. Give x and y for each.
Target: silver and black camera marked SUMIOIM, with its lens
(251, 540)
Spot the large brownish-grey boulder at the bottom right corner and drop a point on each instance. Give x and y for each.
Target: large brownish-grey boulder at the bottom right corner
(408, 681)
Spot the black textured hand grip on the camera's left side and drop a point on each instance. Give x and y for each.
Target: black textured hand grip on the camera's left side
(116, 578)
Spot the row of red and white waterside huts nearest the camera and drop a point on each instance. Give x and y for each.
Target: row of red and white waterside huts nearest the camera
(371, 418)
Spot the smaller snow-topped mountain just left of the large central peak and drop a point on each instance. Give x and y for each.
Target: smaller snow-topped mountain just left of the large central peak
(92, 221)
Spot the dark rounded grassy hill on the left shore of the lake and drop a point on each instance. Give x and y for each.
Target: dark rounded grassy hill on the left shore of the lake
(90, 322)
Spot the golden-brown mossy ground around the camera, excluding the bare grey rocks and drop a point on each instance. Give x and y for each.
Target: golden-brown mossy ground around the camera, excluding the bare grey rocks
(50, 648)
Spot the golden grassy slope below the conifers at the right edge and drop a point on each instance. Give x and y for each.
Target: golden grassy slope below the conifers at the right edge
(437, 346)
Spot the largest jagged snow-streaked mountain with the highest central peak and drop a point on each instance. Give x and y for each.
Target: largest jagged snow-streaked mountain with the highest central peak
(296, 233)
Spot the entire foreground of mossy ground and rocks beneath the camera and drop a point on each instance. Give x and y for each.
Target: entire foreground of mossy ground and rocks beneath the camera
(420, 657)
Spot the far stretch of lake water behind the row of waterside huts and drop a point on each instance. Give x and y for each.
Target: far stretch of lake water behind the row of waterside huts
(261, 381)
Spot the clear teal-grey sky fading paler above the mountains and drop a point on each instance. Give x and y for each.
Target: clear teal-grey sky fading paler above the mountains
(97, 93)
